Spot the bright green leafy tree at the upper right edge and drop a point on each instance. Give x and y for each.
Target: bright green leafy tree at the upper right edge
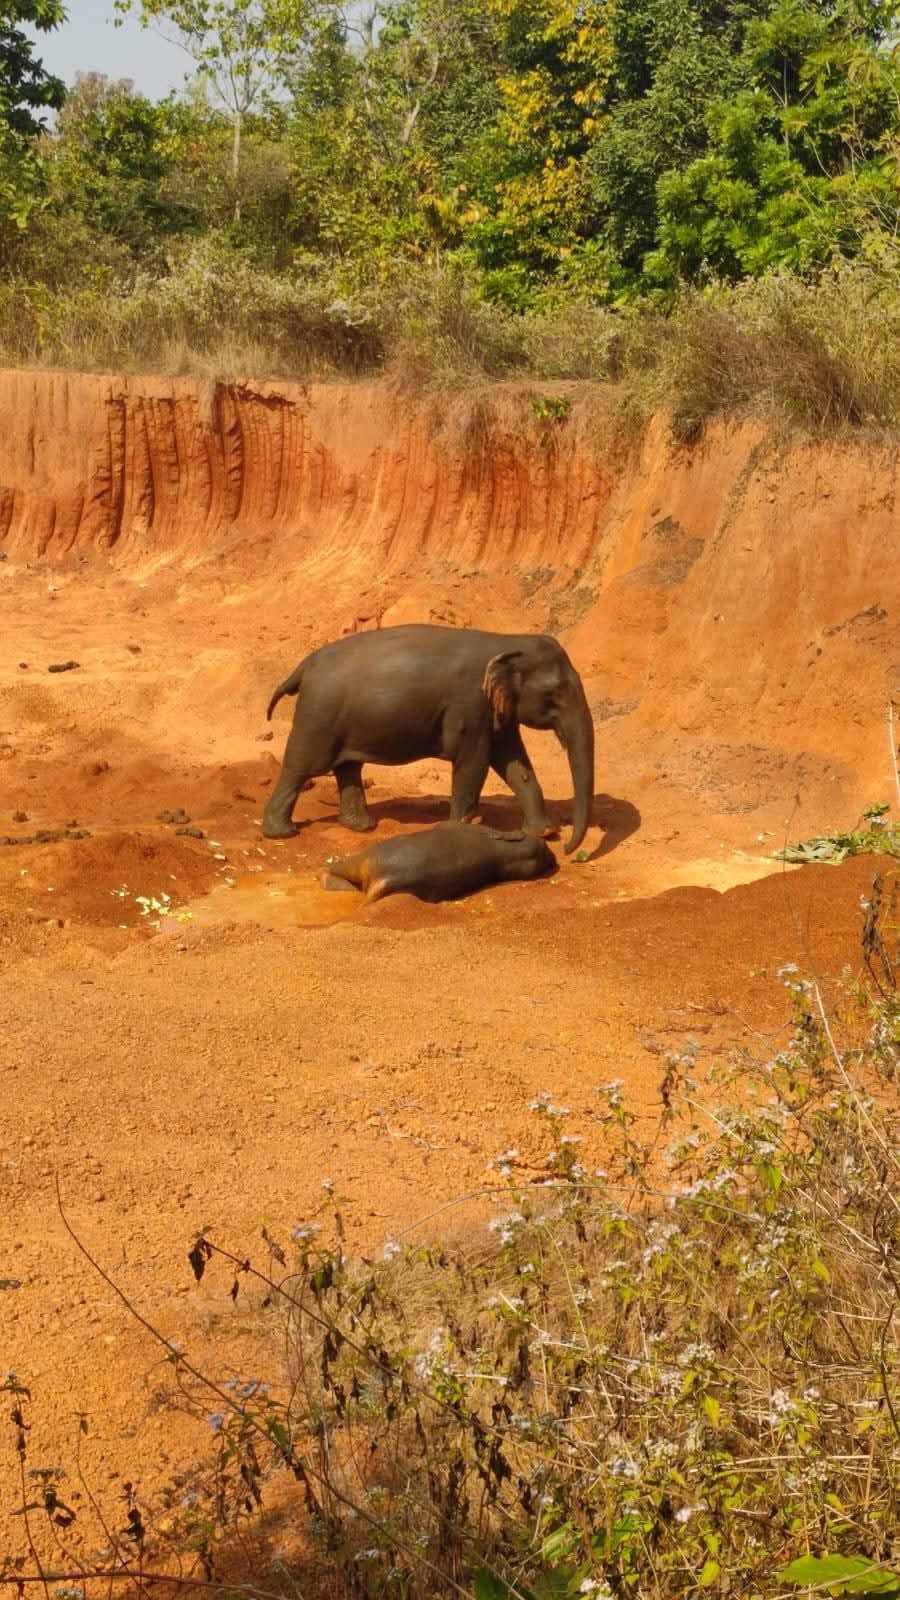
(803, 162)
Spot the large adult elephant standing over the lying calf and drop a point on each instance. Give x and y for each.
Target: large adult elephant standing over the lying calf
(406, 694)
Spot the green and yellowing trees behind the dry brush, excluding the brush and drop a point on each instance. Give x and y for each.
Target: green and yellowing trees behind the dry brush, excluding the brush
(592, 150)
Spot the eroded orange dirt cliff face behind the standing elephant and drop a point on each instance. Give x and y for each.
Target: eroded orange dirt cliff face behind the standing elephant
(733, 606)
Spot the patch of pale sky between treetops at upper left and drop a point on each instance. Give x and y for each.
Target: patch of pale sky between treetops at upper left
(89, 42)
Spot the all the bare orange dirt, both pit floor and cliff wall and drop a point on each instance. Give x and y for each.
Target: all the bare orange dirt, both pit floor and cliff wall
(734, 612)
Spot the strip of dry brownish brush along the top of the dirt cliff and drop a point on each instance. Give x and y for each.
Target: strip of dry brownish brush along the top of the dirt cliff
(824, 354)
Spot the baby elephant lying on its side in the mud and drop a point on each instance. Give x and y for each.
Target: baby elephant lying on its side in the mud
(443, 863)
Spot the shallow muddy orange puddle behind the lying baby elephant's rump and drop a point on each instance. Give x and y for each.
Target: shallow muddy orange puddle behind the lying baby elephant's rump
(273, 902)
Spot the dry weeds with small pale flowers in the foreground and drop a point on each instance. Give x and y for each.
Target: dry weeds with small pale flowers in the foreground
(675, 1375)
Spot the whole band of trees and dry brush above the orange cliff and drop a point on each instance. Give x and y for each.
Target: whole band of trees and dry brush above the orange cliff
(694, 199)
